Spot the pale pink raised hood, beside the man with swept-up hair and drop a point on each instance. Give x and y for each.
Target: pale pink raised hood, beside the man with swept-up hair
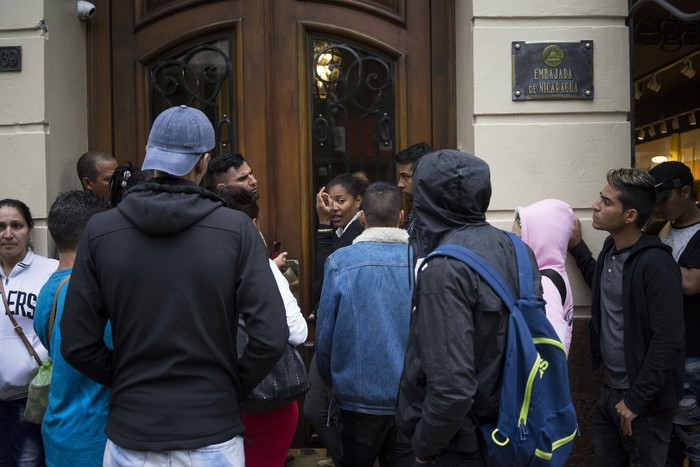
(546, 227)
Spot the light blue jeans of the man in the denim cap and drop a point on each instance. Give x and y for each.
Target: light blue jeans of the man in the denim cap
(226, 454)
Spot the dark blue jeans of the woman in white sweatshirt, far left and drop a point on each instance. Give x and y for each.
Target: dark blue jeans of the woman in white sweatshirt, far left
(20, 442)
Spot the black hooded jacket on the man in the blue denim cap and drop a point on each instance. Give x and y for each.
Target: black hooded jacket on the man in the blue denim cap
(171, 268)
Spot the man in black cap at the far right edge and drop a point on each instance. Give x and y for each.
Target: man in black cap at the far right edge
(680, 230)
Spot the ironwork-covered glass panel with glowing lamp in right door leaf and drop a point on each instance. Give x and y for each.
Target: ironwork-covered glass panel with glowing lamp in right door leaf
(353, 111)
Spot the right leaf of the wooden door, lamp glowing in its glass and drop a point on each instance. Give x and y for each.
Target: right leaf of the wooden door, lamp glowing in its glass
(353, 85)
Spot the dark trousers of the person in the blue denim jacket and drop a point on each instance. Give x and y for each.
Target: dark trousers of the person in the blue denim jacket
(365, 438)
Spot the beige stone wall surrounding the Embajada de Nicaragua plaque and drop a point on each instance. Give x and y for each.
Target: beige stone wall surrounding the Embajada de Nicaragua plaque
(543, 149)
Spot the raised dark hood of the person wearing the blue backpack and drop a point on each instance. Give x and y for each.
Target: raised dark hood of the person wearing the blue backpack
(450, 189)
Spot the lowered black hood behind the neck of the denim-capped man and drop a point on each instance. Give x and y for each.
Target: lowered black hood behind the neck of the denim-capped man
(165, 206)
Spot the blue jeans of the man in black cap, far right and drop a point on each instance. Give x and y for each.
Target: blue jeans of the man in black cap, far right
(686, 439)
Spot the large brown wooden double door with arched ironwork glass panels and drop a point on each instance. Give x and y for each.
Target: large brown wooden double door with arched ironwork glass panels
(304, 89)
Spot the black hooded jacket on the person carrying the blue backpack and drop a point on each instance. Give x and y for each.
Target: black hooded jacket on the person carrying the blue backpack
(454, 357)
